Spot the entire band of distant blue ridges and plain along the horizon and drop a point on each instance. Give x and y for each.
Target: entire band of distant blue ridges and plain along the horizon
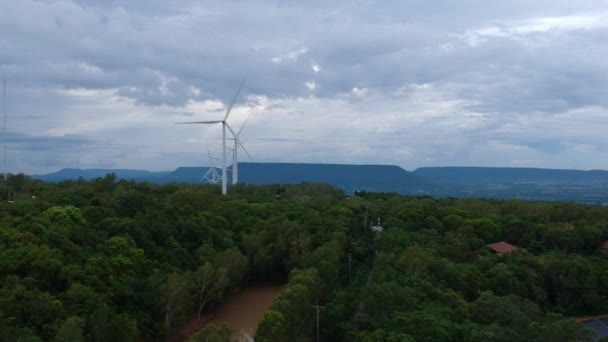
(488, 182)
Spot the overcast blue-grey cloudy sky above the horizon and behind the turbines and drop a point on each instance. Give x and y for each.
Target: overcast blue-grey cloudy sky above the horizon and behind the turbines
(94, 83)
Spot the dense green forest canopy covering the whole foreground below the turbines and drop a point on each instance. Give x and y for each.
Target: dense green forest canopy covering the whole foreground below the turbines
(115, 260)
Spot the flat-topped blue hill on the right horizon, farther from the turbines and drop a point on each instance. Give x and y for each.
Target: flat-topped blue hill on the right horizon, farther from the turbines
(478, 175)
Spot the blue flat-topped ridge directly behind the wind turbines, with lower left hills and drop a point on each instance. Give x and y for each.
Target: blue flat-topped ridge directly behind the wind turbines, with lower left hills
(382, 178)
